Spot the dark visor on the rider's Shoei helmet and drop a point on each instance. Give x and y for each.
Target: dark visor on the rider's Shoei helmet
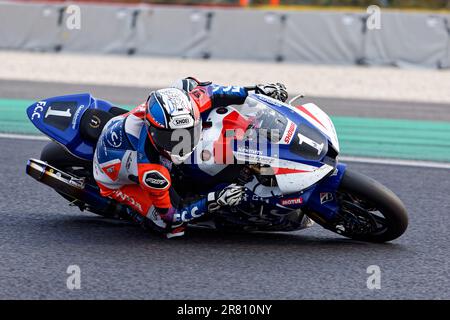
(179, 142)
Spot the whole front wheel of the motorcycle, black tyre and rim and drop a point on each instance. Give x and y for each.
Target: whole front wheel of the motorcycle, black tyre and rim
(368, 211)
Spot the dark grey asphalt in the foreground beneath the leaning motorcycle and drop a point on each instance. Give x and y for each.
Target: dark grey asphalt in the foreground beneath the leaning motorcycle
(40, 236)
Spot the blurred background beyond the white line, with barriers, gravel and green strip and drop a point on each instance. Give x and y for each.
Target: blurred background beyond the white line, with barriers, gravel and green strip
(380, 68)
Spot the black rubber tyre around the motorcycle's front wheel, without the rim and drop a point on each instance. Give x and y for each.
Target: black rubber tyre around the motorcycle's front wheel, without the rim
(365, 190)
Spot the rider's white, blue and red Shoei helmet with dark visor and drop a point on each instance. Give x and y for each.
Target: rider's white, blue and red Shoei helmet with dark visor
(173, 123)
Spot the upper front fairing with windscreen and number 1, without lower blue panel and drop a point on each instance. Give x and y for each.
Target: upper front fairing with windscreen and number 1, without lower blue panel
(299, 153)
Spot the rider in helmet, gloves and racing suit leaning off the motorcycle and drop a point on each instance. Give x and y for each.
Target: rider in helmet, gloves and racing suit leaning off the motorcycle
(136, 151)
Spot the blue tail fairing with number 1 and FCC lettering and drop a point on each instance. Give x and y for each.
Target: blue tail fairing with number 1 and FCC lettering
(60, 119)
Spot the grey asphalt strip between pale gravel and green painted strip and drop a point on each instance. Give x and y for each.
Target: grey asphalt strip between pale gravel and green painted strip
(134, 96)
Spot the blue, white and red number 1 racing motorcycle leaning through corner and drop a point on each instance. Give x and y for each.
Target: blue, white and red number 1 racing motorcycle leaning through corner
(285, 154)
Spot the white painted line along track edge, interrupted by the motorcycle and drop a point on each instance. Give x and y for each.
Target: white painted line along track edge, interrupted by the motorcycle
(393, 162)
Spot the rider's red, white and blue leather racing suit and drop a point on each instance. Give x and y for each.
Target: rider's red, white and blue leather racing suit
(130, 170)
